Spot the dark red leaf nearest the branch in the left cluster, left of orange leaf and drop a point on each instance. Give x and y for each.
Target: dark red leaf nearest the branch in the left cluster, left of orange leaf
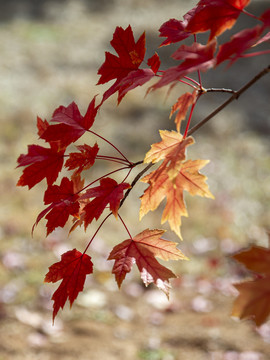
(108, 192)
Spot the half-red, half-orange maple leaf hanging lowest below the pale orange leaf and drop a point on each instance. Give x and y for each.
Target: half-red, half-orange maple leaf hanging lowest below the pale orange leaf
(142, 250)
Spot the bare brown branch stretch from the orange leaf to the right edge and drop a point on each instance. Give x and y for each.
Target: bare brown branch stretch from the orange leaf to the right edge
(234, 96)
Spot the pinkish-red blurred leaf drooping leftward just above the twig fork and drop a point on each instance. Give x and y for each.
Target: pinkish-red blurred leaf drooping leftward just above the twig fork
(195, 57)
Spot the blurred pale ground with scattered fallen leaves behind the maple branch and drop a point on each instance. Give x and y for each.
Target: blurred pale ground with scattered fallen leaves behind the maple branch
(50, 54)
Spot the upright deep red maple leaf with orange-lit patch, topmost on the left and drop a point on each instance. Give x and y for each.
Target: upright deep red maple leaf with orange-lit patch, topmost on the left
(130, 56)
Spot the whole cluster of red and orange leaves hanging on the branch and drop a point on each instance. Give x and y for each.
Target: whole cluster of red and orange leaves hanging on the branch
(86, 203)
